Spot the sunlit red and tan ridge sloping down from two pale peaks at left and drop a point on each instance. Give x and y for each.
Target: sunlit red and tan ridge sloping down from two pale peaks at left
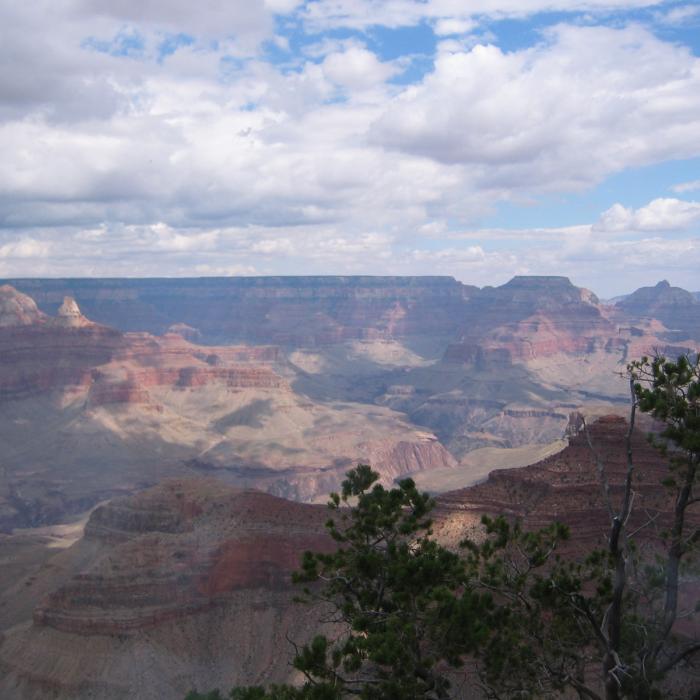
(88, 412)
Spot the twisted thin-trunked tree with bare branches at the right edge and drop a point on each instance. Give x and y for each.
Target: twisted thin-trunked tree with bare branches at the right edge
(670, 392)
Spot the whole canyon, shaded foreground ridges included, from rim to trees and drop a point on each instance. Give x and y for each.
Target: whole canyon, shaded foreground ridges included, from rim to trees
(167, 445)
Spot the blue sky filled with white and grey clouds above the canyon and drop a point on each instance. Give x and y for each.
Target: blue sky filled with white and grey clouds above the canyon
(474, 138)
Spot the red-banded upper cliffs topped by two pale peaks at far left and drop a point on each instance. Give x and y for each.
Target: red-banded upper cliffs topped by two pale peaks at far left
(42, 354)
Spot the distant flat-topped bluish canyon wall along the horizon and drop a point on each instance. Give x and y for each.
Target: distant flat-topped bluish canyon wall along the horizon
(297, 311)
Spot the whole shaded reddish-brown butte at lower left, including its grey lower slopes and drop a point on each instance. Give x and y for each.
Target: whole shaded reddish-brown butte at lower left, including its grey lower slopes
(184, 585)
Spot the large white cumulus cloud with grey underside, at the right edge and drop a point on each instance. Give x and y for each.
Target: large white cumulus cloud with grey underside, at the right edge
(560, 115)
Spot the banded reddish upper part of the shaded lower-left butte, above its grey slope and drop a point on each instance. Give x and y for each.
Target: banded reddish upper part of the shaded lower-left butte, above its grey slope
(199, 541)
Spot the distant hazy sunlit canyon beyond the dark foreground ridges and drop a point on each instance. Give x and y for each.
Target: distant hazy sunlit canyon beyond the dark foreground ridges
(282, 384)
